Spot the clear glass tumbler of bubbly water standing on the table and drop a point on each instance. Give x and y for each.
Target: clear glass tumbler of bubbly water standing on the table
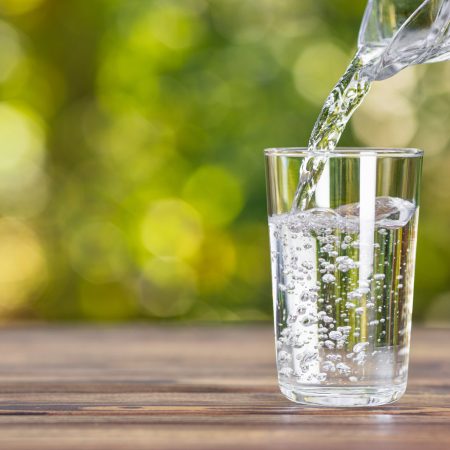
(343, 274)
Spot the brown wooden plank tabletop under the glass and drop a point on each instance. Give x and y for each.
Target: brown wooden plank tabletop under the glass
(145, 387)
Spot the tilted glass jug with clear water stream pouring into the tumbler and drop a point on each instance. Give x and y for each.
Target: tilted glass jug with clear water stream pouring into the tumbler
(393, 35)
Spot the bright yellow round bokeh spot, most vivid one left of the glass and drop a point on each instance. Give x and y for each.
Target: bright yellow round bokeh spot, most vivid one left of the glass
(172, 228)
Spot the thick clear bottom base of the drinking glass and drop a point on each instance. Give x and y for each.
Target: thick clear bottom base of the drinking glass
(340, 397)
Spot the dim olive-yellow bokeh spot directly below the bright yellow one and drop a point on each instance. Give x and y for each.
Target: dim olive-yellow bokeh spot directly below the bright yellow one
(168, 288)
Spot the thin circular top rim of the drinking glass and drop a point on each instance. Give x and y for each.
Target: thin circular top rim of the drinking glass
(346, 152)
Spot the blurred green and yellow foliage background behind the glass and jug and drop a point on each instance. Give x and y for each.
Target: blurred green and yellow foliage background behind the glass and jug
(131, 167)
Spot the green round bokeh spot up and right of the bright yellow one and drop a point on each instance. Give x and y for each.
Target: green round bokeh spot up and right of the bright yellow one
(215, 193)
